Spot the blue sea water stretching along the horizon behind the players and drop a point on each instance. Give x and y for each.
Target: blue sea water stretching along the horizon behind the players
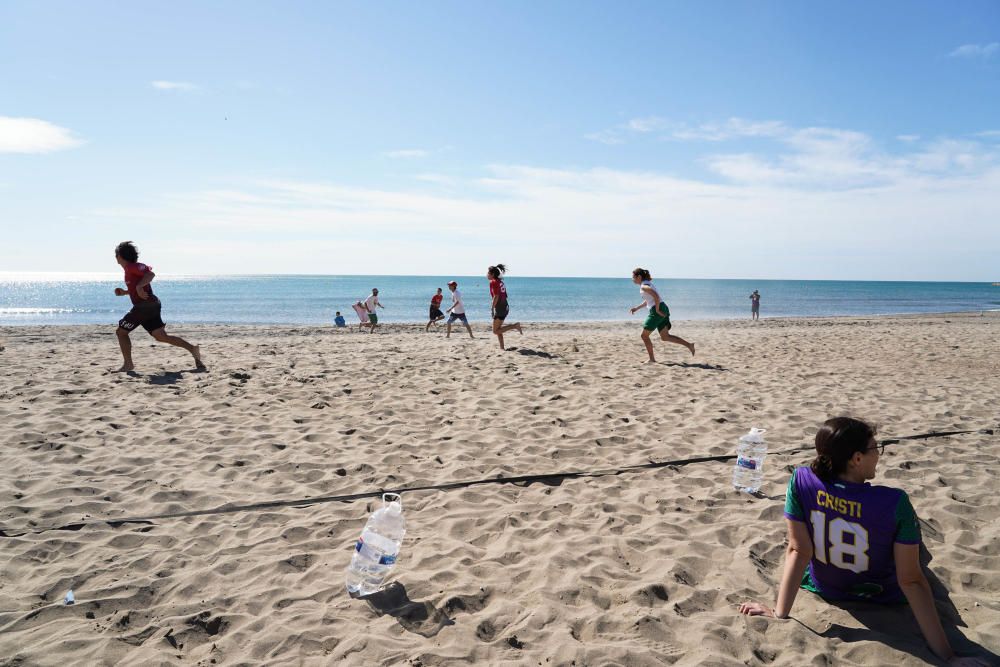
(30, 300)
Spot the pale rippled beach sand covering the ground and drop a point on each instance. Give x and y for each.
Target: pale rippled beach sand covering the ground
(645, 567)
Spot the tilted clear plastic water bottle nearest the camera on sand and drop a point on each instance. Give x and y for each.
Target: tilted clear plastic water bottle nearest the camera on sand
(376, 551)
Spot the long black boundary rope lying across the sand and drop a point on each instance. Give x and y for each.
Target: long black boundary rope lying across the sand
(518, 479)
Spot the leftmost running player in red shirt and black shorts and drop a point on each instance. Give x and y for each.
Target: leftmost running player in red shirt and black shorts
(145, 307)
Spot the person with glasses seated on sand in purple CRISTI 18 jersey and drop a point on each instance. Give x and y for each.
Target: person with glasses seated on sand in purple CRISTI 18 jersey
(849, 540)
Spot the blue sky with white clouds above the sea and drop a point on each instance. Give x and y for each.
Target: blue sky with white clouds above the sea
(768, 140)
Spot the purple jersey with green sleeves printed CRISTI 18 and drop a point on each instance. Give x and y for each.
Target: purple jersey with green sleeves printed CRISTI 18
(853, 527)
